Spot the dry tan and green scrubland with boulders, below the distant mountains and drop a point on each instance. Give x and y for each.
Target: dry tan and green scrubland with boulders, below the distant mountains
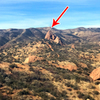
(45, 70)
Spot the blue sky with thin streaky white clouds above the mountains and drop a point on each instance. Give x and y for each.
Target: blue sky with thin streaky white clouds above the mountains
(40, 13)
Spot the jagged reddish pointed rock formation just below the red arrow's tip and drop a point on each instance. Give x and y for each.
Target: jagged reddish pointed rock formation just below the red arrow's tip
(52, 37)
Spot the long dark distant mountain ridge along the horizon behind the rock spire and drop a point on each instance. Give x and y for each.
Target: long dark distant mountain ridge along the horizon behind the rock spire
(67, 36)
